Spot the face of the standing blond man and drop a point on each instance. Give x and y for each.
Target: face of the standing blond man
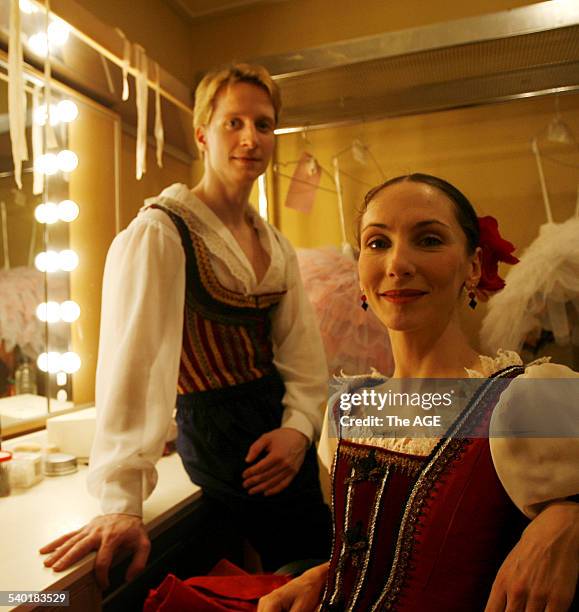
(238, 141)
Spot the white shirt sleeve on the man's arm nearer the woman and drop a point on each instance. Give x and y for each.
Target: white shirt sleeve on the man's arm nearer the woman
(299, 355)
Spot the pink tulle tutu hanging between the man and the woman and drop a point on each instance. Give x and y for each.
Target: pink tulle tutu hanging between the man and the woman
(354, 340)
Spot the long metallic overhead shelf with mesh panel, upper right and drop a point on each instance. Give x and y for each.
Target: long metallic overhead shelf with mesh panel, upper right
(524, 52)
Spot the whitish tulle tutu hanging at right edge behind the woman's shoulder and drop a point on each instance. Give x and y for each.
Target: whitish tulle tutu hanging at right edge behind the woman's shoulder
(542, 292)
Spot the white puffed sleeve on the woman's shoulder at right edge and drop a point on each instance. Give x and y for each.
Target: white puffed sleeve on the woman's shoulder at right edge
(536, 469)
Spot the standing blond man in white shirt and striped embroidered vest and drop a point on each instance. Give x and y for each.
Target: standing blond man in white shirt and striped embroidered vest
(203, 296)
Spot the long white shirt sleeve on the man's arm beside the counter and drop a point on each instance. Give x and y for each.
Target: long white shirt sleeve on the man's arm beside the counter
(138, 363)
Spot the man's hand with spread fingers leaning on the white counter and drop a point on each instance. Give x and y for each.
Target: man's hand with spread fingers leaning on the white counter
(107, 534)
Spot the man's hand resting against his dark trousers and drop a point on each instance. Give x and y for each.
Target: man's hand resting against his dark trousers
(285, 450)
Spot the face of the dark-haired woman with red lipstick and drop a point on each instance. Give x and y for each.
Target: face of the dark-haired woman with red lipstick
(413, 260)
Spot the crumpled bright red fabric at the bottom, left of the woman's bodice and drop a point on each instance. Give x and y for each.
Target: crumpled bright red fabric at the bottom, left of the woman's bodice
(226, 588)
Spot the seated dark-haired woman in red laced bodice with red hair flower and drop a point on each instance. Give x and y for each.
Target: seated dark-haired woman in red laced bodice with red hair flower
(424, 524)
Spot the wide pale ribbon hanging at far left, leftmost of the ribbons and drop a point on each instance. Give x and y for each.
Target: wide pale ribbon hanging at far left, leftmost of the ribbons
(16, 94)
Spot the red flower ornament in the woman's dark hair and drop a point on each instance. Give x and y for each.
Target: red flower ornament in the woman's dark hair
(494, 249)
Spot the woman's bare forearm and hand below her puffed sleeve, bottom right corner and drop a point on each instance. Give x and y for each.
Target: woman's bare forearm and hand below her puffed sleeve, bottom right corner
(540, 573)
